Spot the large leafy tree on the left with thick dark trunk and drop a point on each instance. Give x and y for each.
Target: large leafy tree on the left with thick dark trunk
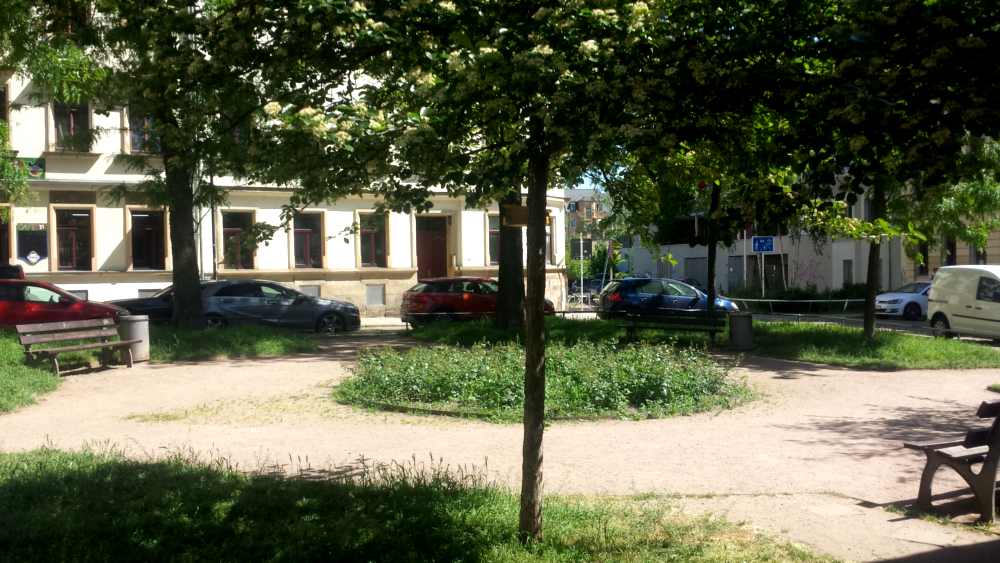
(202, 73)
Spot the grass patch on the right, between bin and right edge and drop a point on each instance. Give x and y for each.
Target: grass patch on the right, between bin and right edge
(846, 346)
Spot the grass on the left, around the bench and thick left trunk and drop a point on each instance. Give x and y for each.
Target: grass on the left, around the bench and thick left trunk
(20, 383)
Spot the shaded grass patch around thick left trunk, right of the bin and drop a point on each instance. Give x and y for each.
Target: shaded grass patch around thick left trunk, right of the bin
(173, 345)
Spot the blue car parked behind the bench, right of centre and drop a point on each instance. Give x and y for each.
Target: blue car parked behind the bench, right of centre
(652, 296)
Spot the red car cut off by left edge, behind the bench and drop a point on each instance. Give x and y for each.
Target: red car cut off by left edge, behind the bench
(23, 302)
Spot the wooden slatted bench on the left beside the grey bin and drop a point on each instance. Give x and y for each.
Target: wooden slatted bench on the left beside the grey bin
(66, 331)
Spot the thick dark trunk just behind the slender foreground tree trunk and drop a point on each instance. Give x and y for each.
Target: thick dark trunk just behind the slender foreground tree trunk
(510, 297)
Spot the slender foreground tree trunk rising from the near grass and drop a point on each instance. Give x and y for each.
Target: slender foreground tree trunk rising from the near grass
(530, 525)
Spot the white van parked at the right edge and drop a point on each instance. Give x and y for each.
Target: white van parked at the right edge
(965, 300)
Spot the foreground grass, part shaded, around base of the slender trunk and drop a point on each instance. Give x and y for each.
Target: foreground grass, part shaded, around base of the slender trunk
(62, 506)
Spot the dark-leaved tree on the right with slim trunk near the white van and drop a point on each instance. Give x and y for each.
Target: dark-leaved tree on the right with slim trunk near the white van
(900, 89)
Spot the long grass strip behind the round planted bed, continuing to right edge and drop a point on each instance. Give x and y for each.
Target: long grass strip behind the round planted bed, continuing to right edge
(809, 342)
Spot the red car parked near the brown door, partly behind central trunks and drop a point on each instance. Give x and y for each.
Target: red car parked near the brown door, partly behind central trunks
(452, 299)
